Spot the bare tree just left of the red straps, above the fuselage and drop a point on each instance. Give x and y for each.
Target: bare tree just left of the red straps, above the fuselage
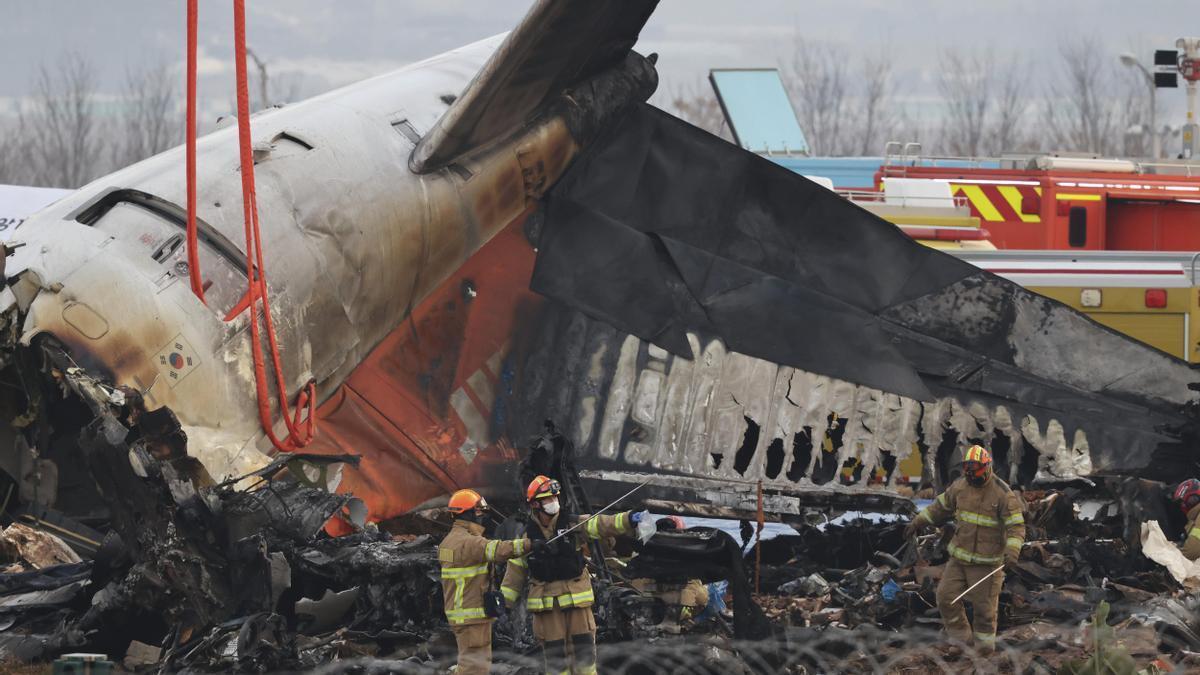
(149, 122)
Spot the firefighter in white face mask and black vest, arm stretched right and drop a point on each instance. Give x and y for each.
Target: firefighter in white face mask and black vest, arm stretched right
(561, 595)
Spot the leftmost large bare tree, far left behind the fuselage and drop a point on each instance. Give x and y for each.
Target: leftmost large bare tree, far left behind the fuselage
(62, 145)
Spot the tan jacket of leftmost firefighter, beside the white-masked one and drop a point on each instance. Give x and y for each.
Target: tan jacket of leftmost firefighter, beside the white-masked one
(467, 558)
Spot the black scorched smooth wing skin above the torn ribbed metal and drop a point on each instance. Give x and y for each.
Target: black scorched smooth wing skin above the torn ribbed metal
(662, 229)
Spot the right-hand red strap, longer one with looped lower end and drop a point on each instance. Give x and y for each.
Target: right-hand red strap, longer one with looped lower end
(301, 433)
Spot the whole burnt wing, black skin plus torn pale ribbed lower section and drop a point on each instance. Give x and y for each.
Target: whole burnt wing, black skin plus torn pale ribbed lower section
(680, 240)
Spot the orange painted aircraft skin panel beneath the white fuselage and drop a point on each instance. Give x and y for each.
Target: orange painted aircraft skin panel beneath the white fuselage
(425, 410)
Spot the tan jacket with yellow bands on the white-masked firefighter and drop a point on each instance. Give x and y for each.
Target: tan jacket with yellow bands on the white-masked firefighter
(572, 593)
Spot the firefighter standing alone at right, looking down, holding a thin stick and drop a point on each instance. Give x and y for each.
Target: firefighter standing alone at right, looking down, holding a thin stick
(989, 533)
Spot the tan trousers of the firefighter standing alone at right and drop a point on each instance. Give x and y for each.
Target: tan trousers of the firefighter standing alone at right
(985, 601)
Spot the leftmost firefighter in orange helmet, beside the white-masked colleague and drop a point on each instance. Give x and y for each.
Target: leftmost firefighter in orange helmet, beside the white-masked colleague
(467, 558)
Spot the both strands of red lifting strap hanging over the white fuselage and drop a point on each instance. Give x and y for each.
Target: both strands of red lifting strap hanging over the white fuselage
(301, 431)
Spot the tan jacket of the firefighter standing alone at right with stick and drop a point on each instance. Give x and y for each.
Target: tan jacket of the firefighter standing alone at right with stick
(989, 522)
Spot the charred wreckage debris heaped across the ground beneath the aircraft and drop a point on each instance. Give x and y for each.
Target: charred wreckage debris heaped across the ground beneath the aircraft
(241, 576)
